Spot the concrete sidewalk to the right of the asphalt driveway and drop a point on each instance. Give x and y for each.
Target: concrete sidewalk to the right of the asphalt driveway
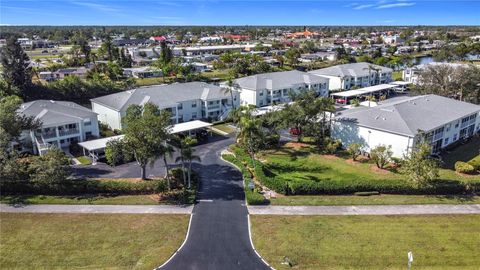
(427, 209)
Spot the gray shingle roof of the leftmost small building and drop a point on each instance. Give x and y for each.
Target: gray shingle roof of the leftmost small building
(55, 112)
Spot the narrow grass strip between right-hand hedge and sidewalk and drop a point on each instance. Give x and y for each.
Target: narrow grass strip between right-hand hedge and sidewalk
(374, 200)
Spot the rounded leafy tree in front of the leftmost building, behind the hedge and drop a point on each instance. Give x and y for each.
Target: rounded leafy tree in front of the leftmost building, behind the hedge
(50, 169)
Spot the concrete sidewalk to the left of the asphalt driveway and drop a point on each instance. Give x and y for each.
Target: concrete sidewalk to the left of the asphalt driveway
(97, 209)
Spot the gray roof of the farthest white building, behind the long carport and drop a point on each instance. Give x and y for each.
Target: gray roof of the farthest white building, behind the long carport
(353, 70)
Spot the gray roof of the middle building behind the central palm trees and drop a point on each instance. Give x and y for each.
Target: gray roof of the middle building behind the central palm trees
(279, 80)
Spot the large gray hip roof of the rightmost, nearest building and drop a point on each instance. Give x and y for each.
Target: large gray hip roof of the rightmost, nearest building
(407, 116)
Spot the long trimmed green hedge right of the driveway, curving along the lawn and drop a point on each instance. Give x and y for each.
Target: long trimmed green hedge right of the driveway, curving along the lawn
(342, 187)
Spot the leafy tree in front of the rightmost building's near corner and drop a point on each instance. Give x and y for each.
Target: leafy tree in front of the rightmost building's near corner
(418, 167)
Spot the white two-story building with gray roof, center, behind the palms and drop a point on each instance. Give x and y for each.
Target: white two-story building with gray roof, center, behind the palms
(273, 88)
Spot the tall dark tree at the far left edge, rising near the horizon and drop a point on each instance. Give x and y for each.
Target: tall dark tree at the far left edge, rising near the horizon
(16, 72)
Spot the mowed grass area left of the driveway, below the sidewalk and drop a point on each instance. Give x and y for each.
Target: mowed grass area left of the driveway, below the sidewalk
(89, 241)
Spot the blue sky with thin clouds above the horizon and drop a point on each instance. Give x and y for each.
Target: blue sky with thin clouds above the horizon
(246, 12)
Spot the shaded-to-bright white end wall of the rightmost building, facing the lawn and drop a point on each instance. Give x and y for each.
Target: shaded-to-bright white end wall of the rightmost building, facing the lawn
(370, 138)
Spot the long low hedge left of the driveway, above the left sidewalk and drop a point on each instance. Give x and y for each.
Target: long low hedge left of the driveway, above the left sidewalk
(75, 187)
